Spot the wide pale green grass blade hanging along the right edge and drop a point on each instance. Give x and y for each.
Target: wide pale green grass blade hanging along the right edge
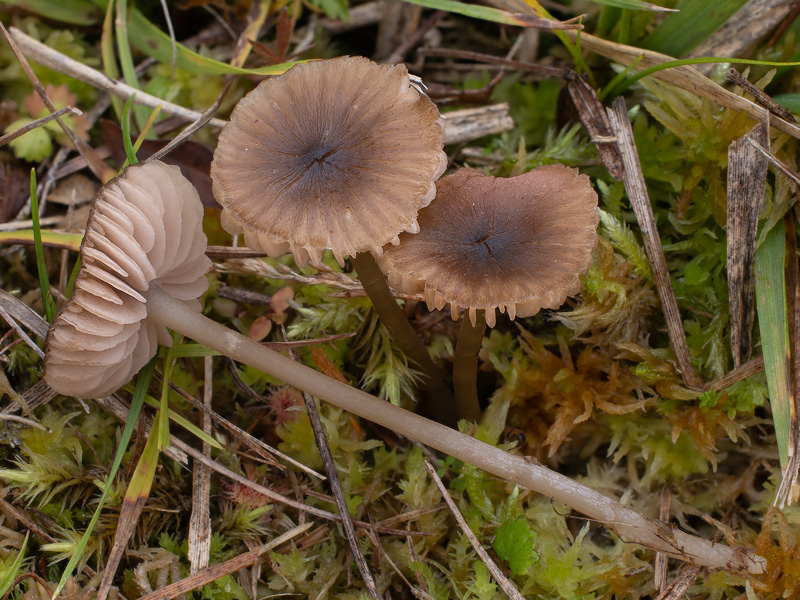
(773, 324)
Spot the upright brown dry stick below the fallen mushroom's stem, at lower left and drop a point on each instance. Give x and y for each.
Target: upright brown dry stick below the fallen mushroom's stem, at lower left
(200, 521)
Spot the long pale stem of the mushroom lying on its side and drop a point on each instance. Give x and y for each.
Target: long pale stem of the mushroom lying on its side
(626, 522)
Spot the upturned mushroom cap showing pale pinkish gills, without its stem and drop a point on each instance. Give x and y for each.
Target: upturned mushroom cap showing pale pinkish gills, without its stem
(145, 228)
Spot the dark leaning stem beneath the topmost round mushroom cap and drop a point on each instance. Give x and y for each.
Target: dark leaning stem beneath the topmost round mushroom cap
(437, 397)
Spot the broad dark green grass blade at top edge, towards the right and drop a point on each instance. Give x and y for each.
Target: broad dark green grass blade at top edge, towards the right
(681, 31)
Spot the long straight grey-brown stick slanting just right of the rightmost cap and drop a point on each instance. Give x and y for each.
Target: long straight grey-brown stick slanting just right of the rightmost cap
(637, 193)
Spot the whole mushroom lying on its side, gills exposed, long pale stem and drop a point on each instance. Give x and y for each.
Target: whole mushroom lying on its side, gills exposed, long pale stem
(140, 275)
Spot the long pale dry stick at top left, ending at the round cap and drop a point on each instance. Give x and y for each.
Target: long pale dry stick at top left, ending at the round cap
(68, 66)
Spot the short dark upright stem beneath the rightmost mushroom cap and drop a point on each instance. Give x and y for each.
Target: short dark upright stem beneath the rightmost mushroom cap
(465, 367)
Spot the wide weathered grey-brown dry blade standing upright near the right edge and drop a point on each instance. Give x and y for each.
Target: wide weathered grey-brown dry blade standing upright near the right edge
(747, 180)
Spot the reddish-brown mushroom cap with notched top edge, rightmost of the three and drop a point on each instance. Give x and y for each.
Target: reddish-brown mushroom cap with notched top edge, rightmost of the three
(517, 244)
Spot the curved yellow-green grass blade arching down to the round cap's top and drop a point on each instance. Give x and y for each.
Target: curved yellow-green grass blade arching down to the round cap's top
(155, 43)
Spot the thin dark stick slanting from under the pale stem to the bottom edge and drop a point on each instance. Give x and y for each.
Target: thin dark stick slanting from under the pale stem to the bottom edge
(336, 488)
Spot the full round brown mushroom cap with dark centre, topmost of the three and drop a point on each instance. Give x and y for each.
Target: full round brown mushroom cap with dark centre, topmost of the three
(338, 154)
